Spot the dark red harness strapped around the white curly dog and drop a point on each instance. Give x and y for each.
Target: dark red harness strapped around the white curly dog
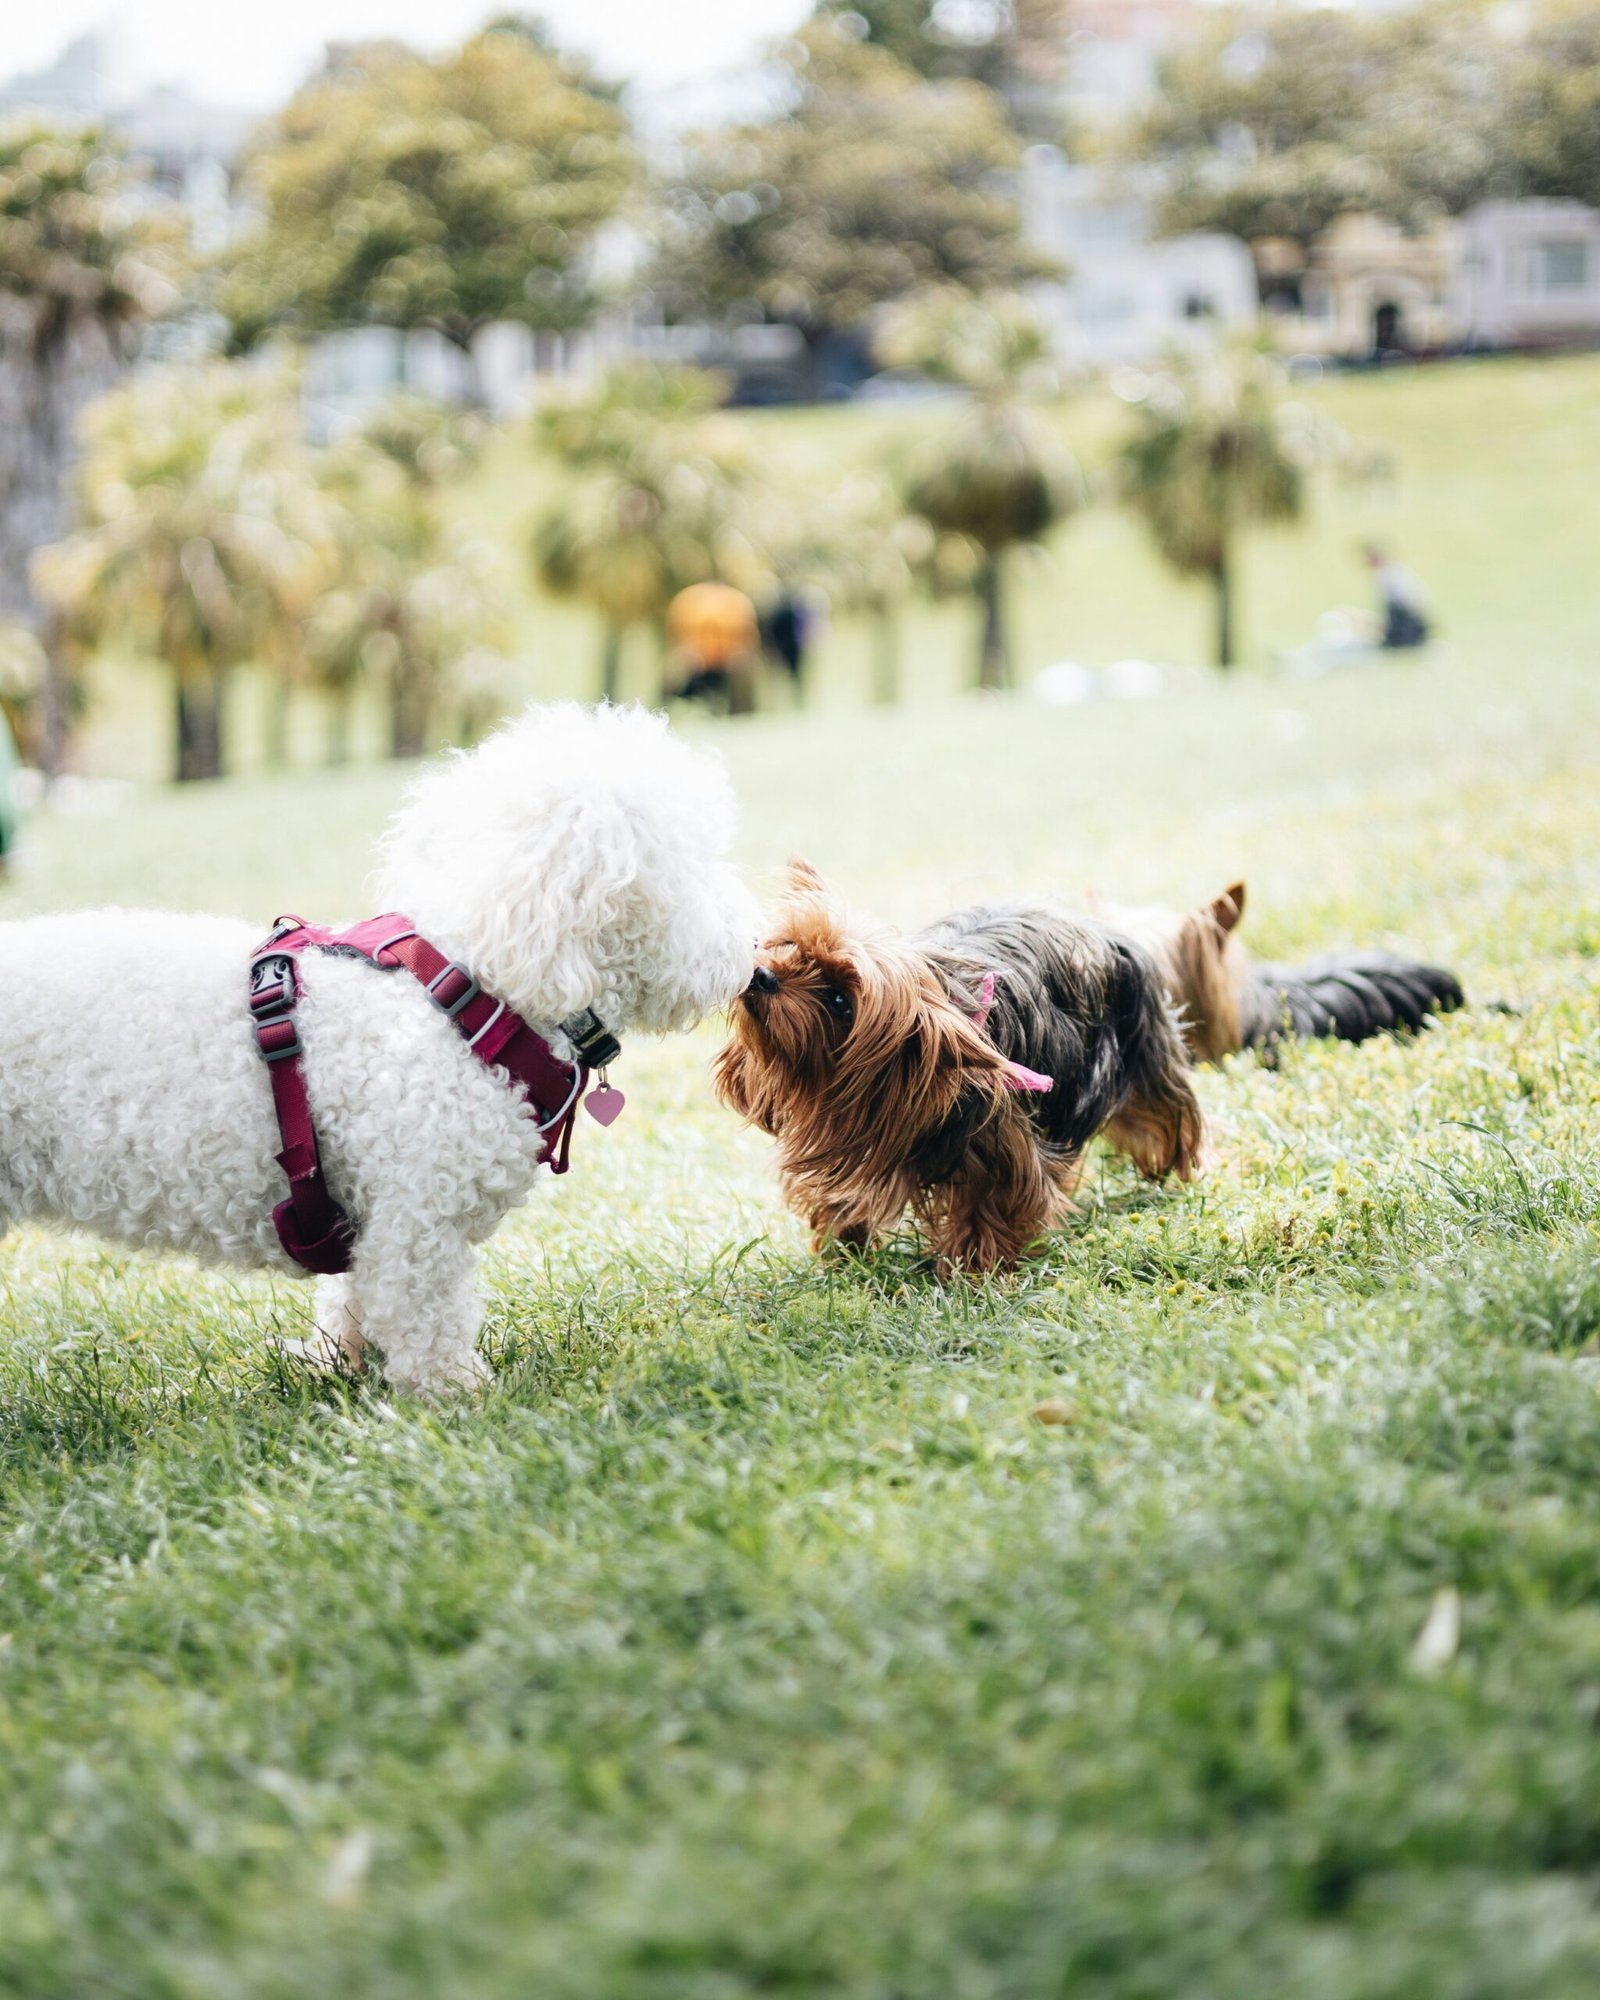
(311, 1223)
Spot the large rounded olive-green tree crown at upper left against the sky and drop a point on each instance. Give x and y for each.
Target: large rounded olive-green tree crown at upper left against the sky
(443, 195)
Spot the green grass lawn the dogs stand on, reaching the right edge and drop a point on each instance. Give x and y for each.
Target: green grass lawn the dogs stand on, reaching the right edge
(753, 1635)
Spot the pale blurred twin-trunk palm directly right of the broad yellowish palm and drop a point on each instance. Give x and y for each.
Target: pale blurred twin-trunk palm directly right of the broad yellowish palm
(415, 599)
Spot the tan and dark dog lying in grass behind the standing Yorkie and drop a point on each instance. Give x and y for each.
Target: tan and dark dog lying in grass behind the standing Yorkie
(1229, 1003)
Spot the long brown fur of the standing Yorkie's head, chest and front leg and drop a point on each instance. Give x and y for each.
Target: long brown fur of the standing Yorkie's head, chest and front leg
(879, 1089)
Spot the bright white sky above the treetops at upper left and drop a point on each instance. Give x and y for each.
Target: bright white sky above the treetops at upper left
(253, 53)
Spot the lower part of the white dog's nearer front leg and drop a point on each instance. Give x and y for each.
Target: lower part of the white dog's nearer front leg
(417, 1305)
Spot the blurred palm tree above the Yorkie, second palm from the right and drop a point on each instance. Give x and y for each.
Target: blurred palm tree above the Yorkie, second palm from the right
(999, 479)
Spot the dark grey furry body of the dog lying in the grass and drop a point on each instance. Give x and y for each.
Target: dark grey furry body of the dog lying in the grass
(1347, 995)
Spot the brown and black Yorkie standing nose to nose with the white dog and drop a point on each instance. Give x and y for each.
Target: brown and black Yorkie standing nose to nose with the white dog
(903, 1073)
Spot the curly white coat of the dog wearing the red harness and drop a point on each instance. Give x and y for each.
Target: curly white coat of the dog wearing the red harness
(573, 861)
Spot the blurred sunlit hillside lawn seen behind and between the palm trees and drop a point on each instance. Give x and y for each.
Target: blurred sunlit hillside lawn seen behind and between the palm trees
(1489, 493)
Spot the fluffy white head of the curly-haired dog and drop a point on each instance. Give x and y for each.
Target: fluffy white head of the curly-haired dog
(579, 861)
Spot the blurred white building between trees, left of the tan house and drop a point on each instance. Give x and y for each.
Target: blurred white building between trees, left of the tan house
(1127, 293)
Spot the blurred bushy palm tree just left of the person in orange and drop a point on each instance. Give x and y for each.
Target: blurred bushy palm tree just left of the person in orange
(651, 501)
